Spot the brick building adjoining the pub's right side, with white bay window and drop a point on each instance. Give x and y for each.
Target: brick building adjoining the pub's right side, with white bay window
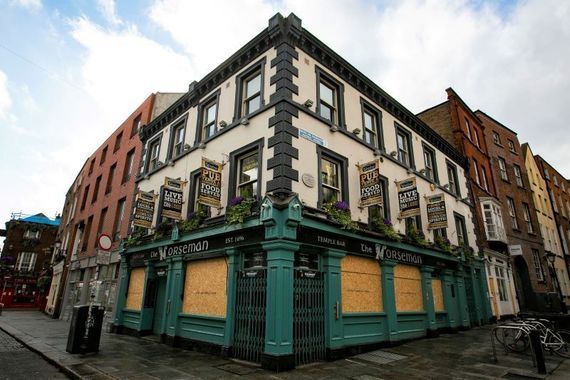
(457, 123)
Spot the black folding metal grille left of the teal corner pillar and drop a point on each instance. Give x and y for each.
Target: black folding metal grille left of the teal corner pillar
(249, 336)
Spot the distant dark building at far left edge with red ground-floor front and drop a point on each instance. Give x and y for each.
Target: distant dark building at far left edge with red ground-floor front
(24, 262)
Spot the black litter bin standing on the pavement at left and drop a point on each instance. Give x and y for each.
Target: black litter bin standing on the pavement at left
(78, 341)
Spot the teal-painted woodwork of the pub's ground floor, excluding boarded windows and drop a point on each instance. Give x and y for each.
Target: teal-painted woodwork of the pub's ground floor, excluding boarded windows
(279, 232)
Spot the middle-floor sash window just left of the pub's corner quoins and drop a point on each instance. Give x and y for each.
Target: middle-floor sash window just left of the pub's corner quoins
(245, 174)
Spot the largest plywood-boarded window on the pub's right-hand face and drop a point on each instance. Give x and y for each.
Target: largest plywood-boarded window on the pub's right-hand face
(360, 283)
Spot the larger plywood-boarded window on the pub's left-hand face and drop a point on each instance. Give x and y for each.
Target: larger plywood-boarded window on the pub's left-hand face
(205, 288)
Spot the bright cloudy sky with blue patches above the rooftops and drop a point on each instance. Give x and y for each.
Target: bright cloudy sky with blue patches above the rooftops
(72, 71)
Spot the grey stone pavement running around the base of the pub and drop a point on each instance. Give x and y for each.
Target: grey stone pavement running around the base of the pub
(464, 355)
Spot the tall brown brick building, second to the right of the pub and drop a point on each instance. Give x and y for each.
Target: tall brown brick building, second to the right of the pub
(526, 248)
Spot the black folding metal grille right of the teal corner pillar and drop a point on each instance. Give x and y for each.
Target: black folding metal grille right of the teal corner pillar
(308, 317)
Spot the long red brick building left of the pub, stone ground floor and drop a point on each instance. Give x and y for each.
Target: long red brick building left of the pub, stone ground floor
(99, 203)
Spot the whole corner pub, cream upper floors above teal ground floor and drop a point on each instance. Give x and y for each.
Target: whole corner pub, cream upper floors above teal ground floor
(287, 212)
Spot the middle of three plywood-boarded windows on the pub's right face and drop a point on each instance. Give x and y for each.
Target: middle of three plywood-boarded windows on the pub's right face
(408, 288)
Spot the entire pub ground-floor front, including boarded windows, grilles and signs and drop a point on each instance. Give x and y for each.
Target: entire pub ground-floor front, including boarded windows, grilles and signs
(286, 288)
